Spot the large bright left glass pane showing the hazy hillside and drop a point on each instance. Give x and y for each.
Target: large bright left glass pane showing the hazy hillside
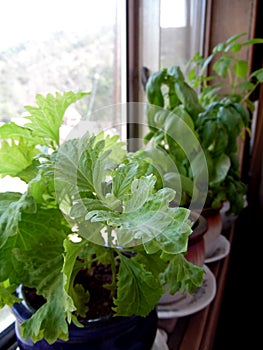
(58, 46)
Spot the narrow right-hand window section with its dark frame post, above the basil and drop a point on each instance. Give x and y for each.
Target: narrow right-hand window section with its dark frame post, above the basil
(161, 33)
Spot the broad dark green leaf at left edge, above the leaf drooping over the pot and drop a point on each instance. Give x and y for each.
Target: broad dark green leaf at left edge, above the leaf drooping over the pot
(33, 253)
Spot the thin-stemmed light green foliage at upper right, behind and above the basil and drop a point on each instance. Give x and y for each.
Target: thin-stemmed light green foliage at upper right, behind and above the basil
(230, 77)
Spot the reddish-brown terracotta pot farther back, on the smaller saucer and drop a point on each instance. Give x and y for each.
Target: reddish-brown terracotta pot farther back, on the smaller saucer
(215, 224)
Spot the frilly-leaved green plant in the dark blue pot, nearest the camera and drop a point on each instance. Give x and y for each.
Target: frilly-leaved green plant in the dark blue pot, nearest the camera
(92, 243)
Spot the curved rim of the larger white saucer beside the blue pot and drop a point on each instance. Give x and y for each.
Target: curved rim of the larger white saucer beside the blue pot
(201, 298)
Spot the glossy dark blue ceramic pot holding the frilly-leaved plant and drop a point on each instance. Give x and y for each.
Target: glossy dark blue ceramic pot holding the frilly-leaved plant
(114, 333)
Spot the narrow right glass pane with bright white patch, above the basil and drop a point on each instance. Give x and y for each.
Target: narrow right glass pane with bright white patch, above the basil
(181, 30)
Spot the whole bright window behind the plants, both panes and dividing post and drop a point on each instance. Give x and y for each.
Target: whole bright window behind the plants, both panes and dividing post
(99, 46)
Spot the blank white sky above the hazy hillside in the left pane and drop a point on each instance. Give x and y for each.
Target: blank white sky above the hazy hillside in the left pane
(23, 20)
